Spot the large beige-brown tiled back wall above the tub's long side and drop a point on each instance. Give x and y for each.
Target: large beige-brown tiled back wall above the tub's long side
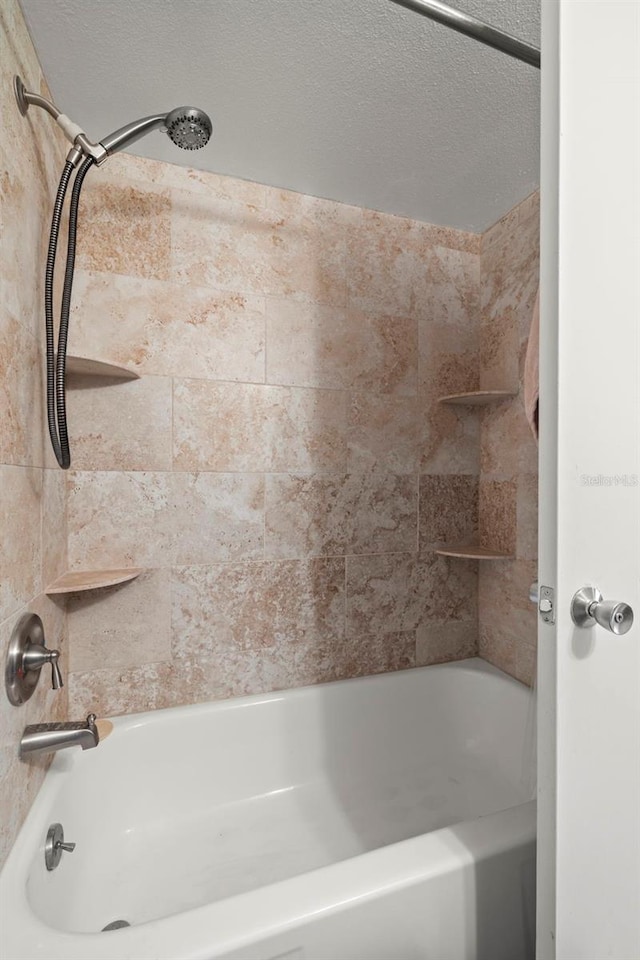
(282, 469)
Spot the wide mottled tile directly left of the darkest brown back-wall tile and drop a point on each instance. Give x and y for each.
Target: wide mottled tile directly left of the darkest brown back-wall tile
(308, 516)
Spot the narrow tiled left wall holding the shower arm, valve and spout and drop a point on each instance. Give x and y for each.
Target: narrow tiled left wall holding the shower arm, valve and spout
(32, 498)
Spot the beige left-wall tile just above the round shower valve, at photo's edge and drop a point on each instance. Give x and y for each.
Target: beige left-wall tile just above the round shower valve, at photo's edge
(20, 558)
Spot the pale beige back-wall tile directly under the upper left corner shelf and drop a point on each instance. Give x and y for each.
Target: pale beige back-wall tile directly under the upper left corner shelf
(120, 425)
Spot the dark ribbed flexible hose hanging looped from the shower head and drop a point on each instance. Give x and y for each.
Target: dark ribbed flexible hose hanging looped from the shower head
(56, 365)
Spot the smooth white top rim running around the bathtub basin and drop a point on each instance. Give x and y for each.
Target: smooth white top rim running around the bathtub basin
(273, 908)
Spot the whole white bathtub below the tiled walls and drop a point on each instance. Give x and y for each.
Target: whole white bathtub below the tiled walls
(383, 818)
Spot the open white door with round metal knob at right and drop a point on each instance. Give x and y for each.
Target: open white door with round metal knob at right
(589, 679)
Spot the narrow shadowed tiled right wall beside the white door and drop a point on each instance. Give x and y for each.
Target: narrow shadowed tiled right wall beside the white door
(509, 461)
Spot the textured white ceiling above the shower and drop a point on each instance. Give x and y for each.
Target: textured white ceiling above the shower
(356, 100)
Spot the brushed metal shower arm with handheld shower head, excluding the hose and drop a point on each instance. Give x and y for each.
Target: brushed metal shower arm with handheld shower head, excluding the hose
(188, 127)
